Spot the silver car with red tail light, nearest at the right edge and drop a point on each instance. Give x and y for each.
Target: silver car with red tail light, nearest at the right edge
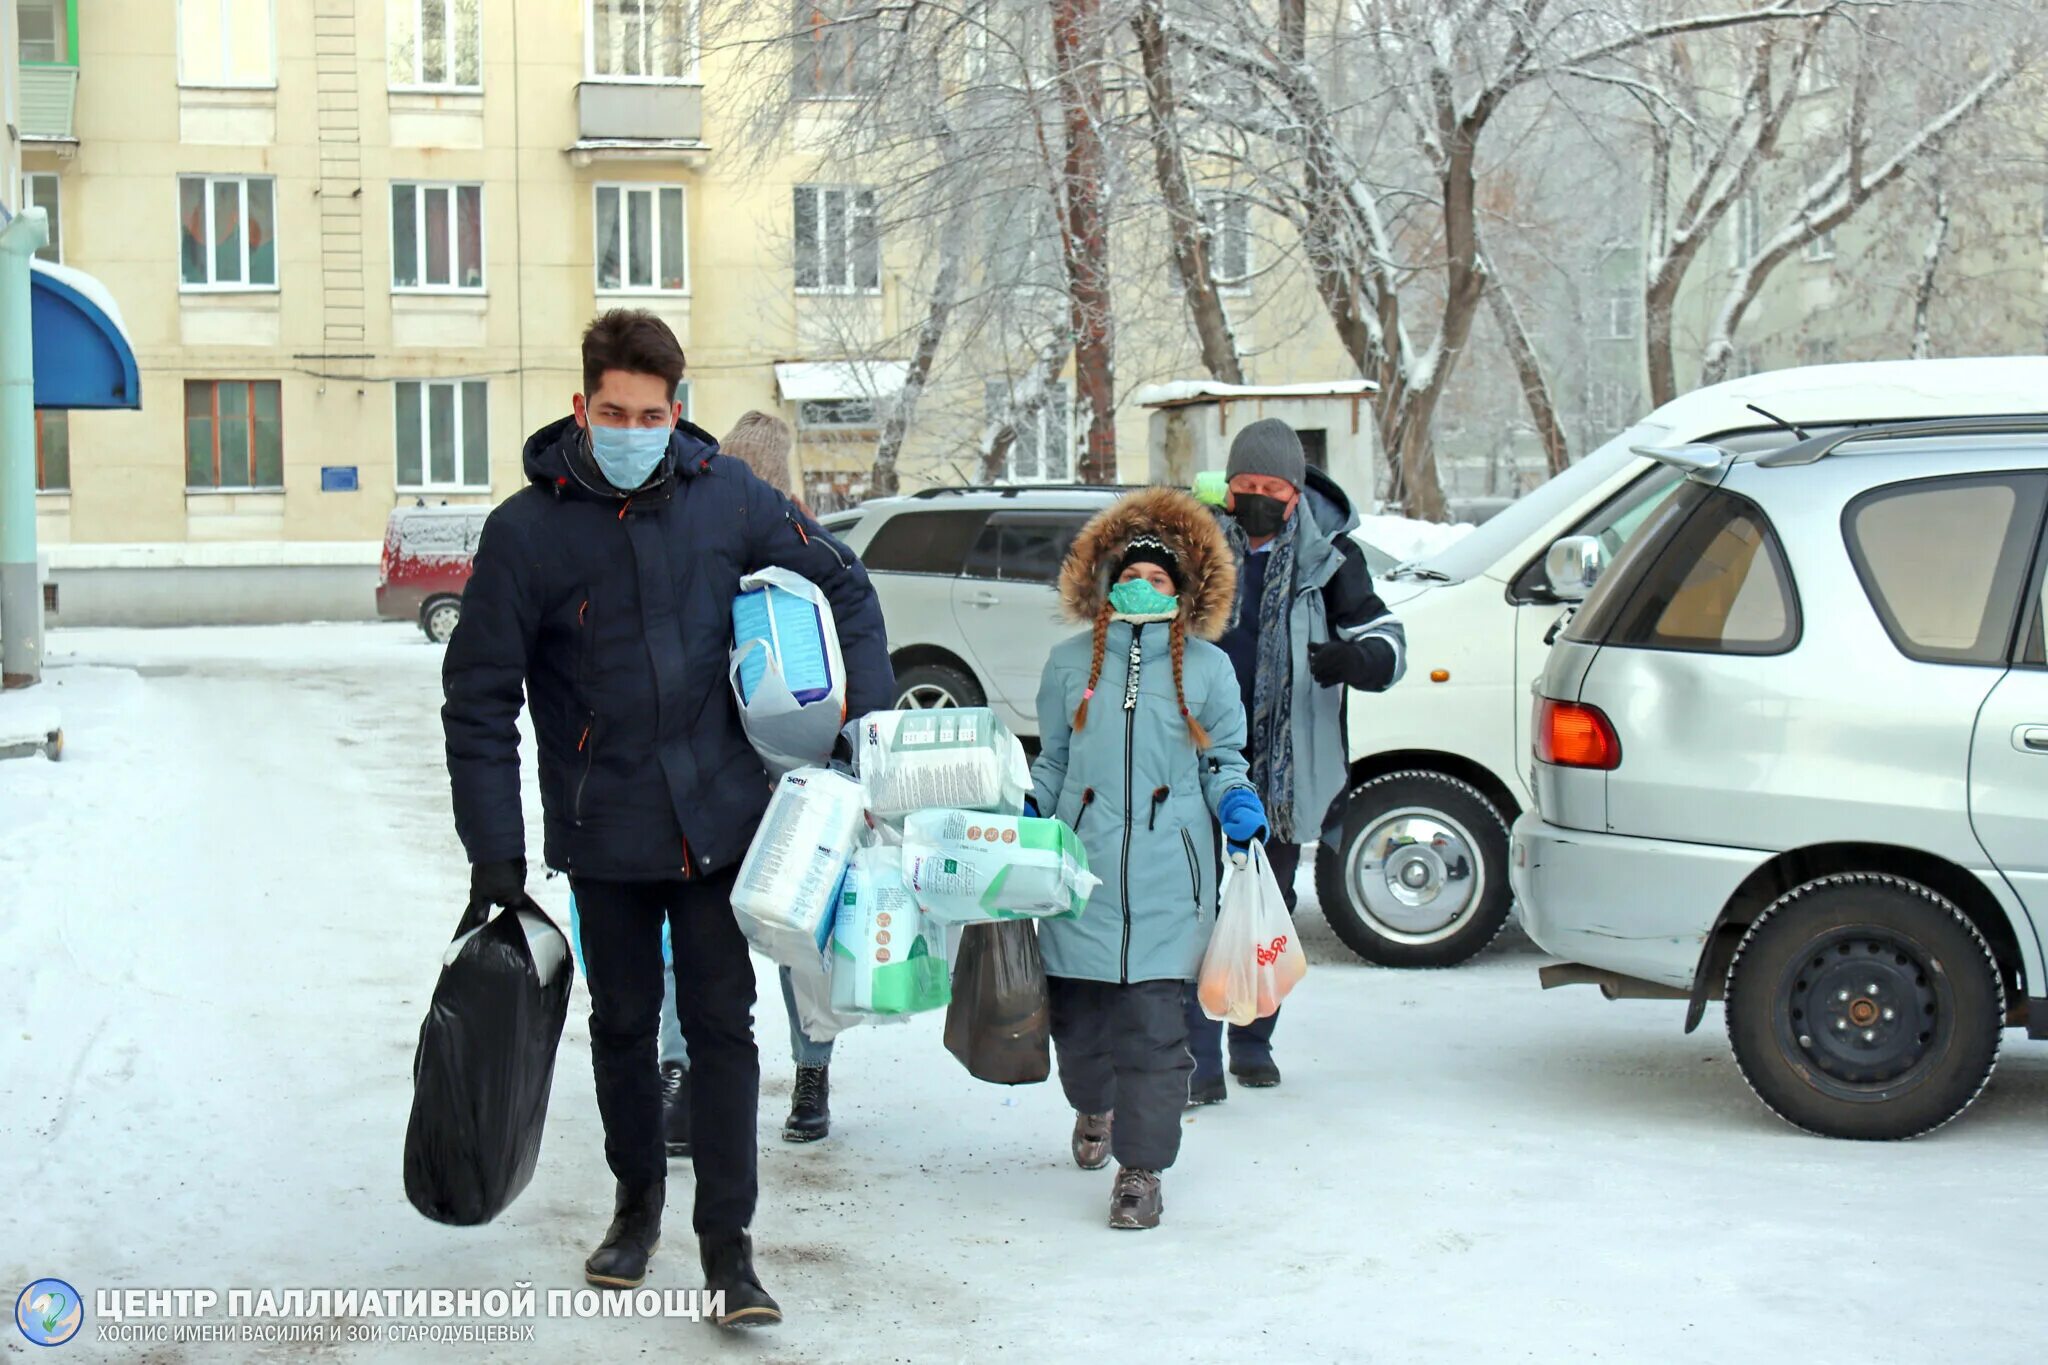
(1793, 754)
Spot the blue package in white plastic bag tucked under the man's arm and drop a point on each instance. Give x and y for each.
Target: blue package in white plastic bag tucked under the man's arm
(787, 674)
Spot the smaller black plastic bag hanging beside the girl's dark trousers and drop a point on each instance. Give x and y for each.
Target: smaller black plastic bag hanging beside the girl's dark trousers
(1000, 1022)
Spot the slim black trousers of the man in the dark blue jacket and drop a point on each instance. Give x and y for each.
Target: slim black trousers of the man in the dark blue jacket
(716, 1008)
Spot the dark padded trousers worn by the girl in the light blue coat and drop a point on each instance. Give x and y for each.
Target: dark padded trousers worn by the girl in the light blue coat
(1125, 1051)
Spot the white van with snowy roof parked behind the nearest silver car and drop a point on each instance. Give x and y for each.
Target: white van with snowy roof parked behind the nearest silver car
(1414, 863)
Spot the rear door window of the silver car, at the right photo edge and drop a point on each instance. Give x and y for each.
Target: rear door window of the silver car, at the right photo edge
(1945, 562)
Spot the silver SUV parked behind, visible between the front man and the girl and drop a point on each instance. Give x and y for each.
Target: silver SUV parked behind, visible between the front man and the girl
(968, 580)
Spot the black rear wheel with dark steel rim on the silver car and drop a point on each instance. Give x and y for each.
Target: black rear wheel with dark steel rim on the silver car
(1832, 1055)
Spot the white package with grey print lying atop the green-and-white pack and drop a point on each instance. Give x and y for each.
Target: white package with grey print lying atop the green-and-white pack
(925, 760)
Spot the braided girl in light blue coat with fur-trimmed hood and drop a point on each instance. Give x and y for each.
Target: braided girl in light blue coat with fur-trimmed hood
(1144, 730)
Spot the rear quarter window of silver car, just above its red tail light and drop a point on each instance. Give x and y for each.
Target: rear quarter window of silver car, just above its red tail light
(1705, 574)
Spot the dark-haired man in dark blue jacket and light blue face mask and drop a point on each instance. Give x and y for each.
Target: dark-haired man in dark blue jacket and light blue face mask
(603, 592)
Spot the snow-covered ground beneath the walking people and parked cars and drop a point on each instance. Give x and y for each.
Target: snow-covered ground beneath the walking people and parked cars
(220, 924)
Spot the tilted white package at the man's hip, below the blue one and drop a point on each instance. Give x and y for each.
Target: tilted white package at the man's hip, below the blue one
(790, 881)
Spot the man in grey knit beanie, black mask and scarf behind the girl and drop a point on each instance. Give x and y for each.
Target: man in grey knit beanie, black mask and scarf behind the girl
(1310, 627)
